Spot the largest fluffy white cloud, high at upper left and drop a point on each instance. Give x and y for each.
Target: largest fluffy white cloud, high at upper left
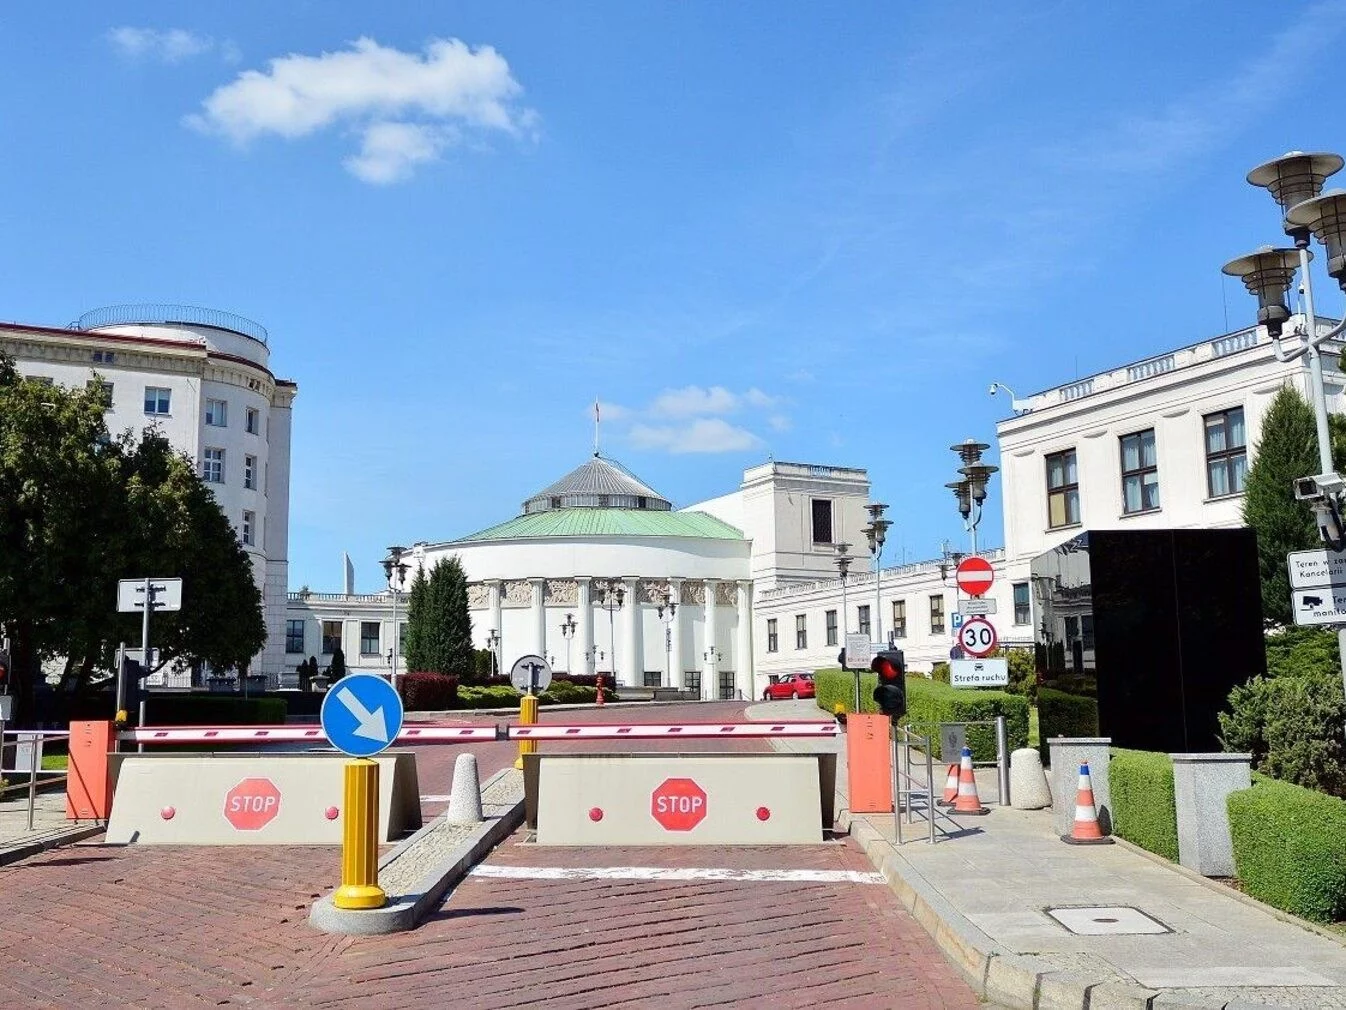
(406, 107)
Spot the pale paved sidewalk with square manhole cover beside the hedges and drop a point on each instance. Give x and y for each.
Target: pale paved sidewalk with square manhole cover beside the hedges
(985, 896)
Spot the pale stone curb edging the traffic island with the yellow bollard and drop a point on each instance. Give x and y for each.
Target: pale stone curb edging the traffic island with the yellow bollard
(410, 910)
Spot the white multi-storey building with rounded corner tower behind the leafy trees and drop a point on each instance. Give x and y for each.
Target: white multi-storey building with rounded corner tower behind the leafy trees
(203, 379)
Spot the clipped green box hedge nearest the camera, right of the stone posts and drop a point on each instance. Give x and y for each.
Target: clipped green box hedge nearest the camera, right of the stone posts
(1289, 848)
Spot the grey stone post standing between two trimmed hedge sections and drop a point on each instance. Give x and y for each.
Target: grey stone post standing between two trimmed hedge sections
(1203, 784)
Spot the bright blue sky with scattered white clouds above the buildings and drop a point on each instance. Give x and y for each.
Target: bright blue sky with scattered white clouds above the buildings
(804, 232)
